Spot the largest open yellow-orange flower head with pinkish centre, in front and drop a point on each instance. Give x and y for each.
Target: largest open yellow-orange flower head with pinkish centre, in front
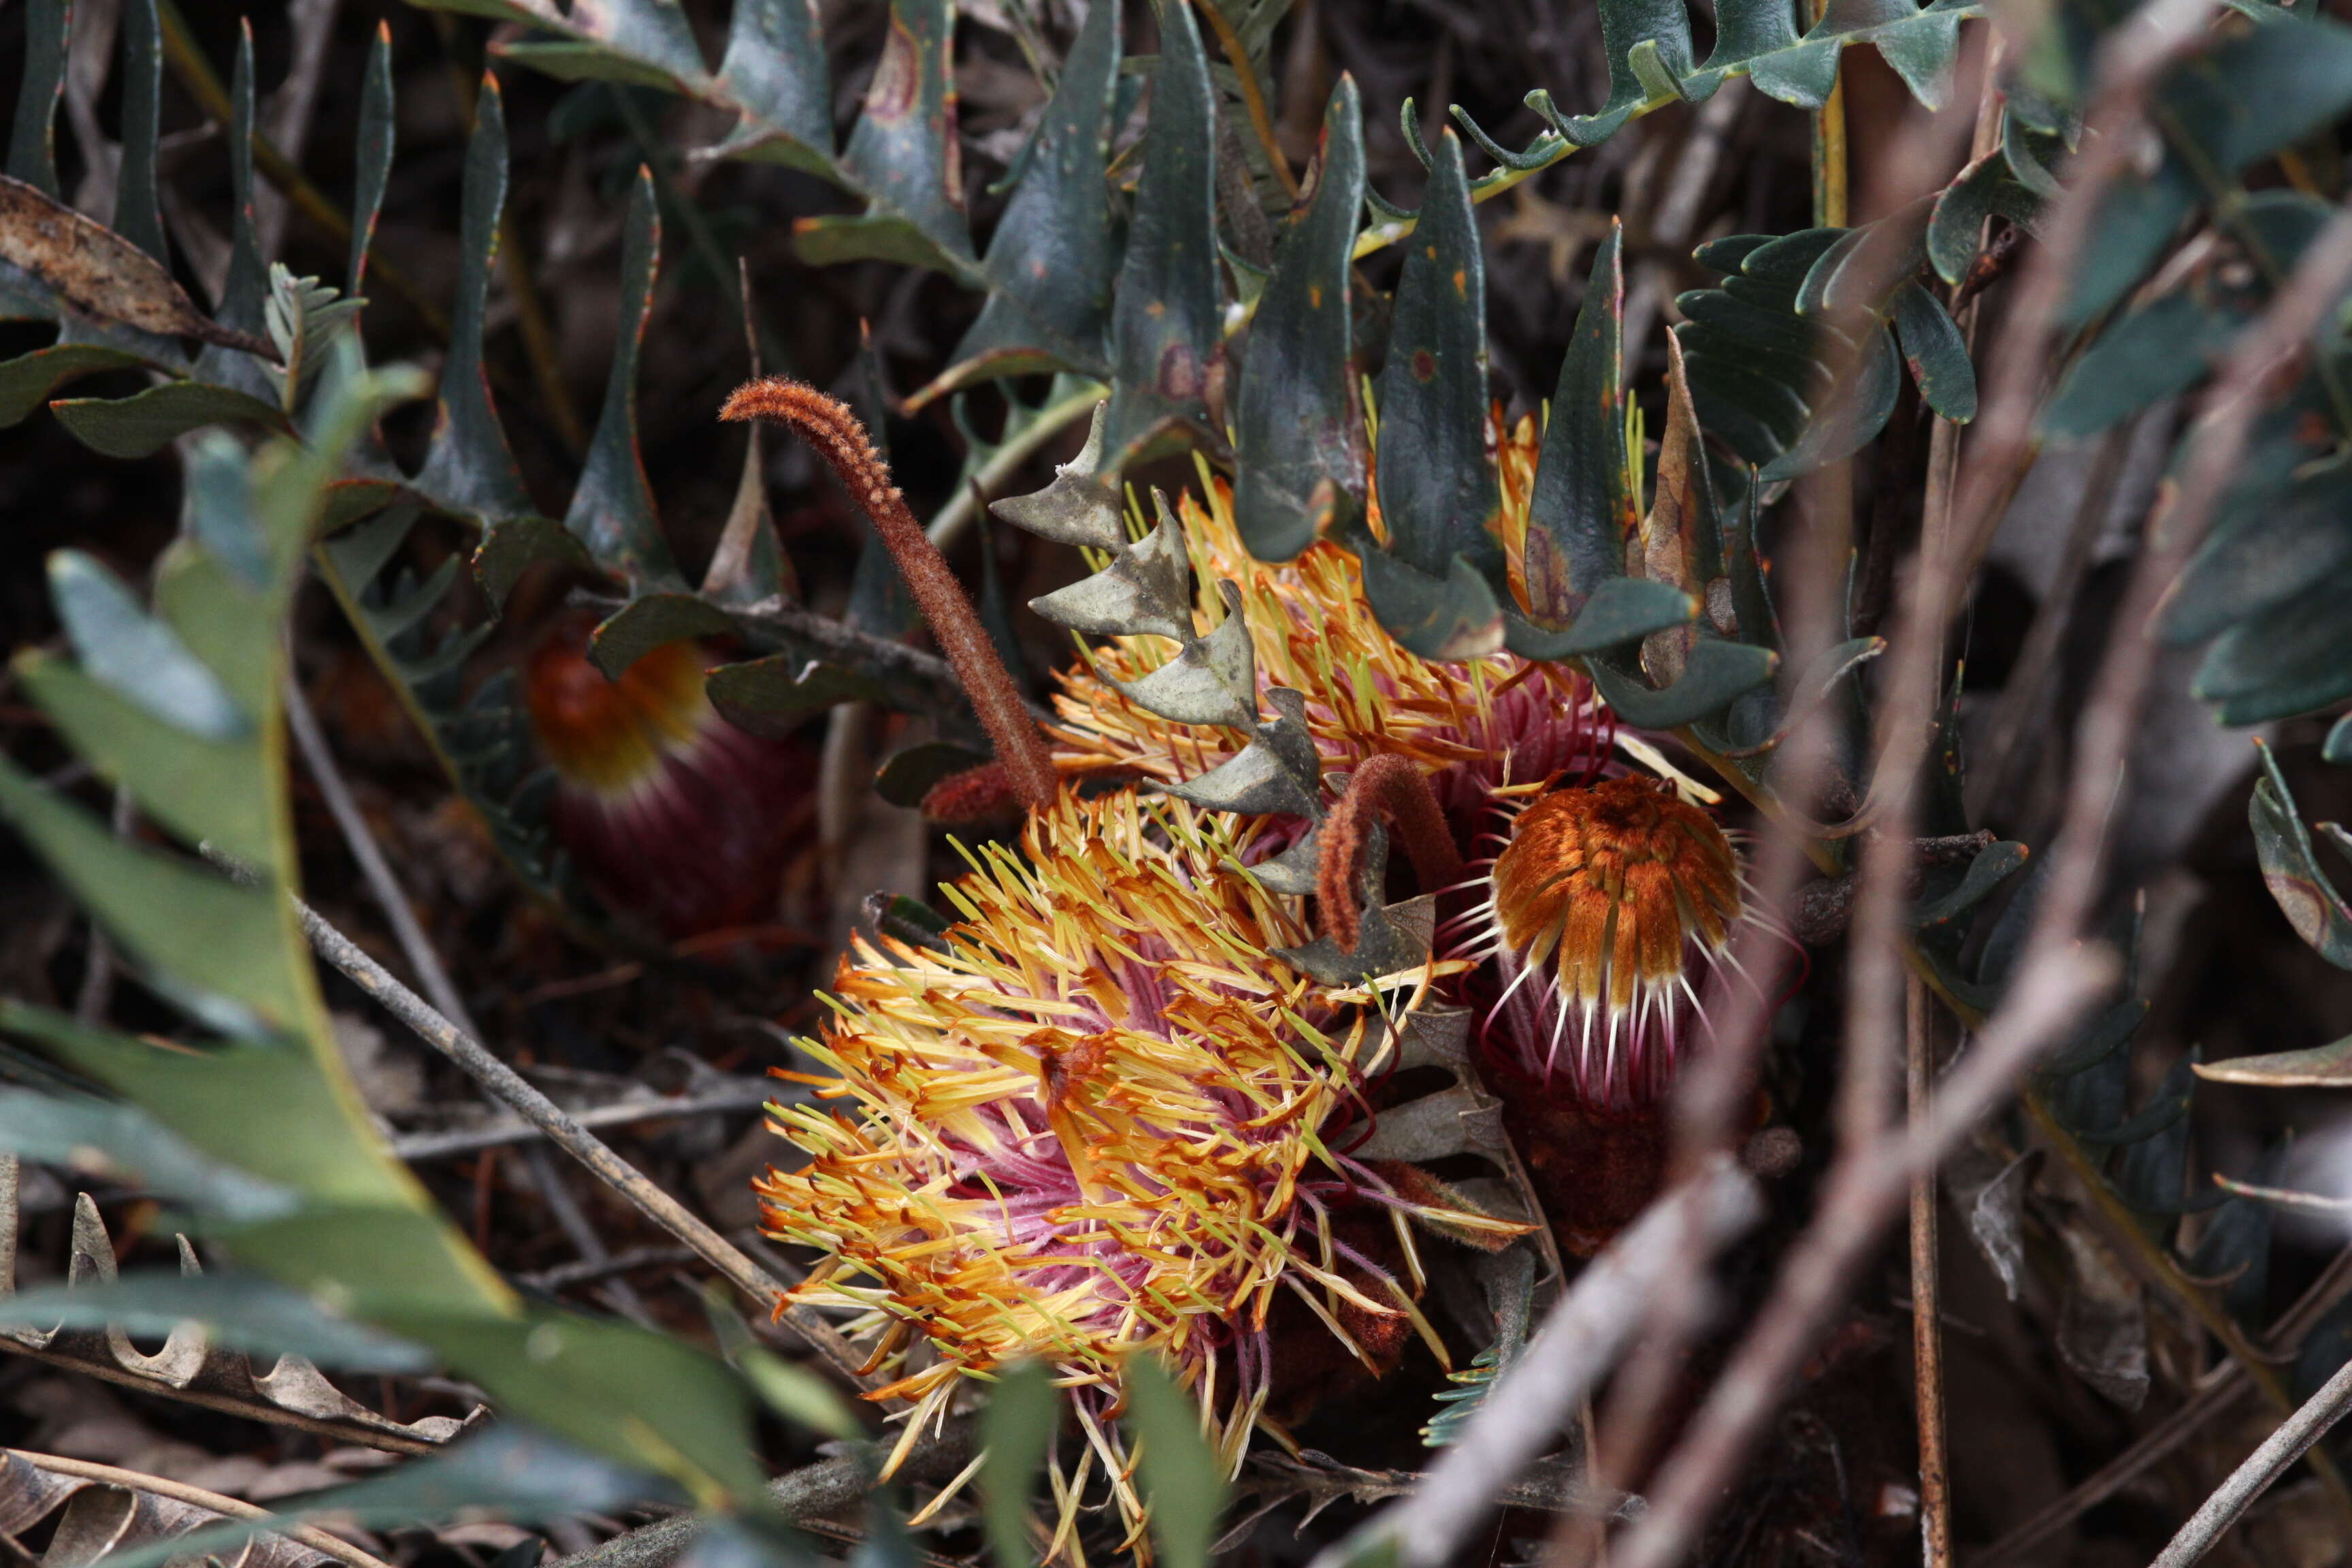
(1100, 1120)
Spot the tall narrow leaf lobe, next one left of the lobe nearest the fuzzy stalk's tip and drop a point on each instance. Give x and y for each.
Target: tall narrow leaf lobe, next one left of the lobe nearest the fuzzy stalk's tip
(469, 469)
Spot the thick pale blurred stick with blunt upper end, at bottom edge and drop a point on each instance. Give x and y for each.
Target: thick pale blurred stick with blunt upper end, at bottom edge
(1570, 1355)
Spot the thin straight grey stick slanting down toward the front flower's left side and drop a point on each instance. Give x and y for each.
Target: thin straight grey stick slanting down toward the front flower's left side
(573, 1139)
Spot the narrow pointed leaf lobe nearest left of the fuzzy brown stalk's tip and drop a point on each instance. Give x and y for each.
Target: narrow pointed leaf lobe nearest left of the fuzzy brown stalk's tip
(613, 511)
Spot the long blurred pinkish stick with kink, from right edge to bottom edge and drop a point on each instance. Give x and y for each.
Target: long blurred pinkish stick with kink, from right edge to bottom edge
(2059, 977)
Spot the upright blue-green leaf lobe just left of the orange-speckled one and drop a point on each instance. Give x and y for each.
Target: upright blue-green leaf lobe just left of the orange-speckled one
(1297, 427)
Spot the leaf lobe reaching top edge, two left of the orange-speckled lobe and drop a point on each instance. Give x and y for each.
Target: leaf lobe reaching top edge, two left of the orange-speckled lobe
(1165, 319)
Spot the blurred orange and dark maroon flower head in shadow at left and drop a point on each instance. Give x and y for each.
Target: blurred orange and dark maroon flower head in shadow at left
(671, 815)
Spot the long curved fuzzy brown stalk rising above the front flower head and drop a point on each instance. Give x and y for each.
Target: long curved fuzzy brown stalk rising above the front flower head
(838, 438)
